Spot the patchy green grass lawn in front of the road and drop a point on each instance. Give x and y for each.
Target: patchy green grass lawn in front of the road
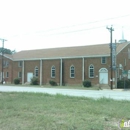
(35, 111)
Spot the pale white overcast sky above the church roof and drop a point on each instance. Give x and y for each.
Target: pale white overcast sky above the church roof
(39, 24)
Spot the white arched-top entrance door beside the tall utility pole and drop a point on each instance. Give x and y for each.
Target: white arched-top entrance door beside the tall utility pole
(103, 76)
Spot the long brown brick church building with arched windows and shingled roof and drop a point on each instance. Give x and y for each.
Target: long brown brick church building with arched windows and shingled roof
(67, 65)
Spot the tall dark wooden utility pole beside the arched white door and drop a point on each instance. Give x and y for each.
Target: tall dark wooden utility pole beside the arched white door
(111, 49)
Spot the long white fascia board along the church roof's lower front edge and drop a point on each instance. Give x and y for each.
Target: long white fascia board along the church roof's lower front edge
(56, 58)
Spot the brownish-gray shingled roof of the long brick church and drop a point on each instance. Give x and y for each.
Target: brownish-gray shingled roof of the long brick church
(66, 52)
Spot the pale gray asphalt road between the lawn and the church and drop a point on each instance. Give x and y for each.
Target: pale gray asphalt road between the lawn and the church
(114, 94)
